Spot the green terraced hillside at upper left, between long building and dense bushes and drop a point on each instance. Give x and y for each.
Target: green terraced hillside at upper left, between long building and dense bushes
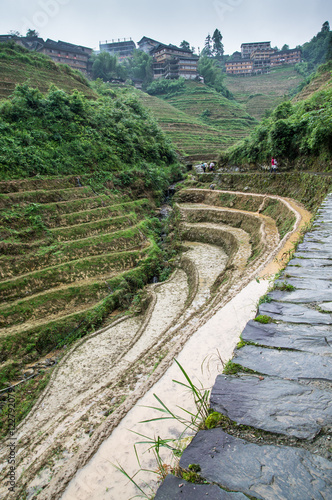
(18, 65)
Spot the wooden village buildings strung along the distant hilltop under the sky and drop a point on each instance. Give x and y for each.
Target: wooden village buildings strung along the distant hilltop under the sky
(169, 61)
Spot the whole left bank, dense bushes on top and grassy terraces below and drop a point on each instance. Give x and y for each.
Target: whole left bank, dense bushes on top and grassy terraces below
(73, 248)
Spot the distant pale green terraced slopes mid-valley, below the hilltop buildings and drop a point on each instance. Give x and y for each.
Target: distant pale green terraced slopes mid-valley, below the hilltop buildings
(199, 121)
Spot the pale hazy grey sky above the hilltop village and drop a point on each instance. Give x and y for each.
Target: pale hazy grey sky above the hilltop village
(86, 22)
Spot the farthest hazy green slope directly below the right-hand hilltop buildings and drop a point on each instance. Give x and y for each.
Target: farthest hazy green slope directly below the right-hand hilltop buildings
(262, 93)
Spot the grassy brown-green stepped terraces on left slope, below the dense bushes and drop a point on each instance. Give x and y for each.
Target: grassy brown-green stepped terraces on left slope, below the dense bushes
(68, 258)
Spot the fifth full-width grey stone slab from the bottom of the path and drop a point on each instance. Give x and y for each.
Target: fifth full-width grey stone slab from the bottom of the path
(294, 313)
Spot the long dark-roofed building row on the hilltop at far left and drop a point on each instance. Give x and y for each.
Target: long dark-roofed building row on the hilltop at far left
(76, 56)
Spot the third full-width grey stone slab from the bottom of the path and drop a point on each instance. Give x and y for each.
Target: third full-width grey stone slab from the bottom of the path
(285, 364)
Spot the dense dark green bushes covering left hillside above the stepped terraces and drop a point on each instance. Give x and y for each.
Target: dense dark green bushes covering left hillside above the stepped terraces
(60, 133)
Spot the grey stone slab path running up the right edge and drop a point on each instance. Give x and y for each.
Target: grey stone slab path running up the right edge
(287, 393)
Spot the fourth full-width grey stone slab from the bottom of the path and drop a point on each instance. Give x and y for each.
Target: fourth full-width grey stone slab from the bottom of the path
(316, 339)
